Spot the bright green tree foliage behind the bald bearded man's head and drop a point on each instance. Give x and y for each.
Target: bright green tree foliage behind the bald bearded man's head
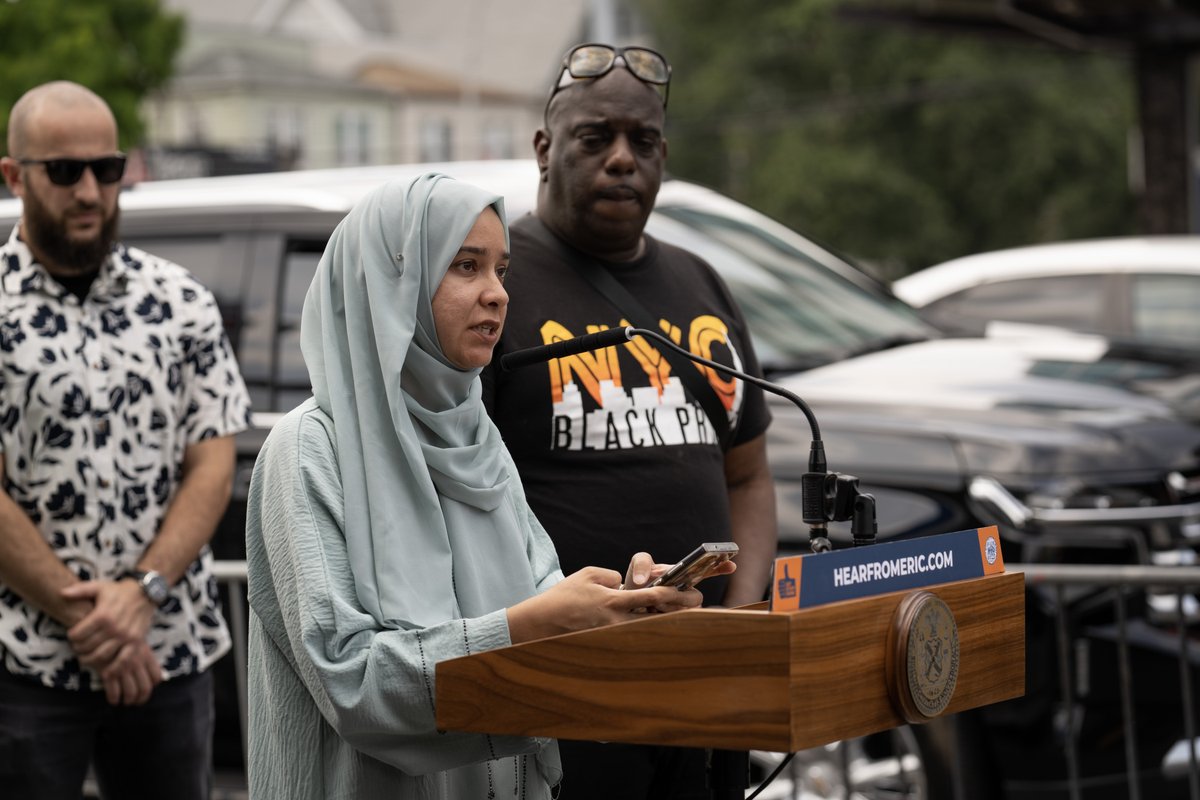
(122, 50)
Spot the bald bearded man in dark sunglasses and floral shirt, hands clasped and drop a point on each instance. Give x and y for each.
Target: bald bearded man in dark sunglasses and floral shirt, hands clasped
(119, 399)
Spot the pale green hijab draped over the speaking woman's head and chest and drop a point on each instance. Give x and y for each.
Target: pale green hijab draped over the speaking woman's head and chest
(424, 471)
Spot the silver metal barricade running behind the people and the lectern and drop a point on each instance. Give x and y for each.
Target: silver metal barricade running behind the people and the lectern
(1119, 584)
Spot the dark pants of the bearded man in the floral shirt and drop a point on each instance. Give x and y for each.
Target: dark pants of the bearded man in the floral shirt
(160, 750)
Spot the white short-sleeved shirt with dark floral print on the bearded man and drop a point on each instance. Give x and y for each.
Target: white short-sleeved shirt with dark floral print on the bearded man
(99, 401)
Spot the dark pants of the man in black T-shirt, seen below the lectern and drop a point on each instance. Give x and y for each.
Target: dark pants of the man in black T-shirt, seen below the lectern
(604, 772)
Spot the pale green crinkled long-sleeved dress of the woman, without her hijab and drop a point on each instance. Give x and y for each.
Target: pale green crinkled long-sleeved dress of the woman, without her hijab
(340, 708)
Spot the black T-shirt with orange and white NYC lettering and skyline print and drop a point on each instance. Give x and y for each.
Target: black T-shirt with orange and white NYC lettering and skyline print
(615, 455)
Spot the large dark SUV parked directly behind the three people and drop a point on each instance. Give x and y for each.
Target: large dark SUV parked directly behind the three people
(946, 434)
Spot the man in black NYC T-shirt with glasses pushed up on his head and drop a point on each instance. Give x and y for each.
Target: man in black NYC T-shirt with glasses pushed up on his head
(617, 450)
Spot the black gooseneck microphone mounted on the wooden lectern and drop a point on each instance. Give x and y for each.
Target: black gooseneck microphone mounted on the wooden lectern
(825, 496)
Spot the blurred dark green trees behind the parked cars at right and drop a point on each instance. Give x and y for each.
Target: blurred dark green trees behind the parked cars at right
(903, 148)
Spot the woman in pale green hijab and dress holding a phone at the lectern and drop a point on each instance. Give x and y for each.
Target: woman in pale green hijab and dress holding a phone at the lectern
(387, 526)
